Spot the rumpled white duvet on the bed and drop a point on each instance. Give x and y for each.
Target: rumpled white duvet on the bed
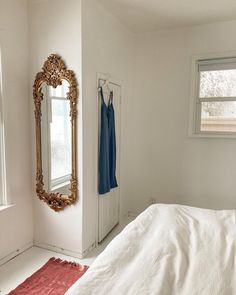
(167, 250)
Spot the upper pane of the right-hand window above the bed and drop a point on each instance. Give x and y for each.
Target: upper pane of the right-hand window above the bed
(218, 83)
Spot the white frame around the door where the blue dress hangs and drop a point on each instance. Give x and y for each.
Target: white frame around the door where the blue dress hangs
(119, 83)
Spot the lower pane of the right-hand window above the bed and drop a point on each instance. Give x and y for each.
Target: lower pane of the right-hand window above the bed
(218, 116)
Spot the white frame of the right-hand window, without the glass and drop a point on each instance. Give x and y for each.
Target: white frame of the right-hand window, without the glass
(195, 115)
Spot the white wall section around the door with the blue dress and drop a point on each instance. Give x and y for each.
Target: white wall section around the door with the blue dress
(107, 48)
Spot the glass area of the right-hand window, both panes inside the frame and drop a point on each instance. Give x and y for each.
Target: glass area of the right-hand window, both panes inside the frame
(217, 92)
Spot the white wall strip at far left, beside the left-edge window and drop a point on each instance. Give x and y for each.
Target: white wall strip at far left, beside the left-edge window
(17, 221)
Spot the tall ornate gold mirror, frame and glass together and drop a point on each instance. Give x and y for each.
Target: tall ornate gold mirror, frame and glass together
(55, 97)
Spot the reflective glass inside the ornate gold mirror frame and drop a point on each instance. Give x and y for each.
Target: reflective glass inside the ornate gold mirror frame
(56, 138)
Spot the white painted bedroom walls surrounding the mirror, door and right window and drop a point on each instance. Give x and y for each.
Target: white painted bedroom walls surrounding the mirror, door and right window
(158, 159)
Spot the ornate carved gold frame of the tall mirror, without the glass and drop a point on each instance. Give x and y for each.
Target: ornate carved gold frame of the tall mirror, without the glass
(54, 71)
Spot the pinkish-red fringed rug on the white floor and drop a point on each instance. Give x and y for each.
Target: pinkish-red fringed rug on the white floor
(54, 278)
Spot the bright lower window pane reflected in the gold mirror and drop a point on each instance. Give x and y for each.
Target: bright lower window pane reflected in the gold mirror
(60, 139)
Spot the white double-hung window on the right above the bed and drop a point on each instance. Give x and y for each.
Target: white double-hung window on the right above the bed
(215, 96)
